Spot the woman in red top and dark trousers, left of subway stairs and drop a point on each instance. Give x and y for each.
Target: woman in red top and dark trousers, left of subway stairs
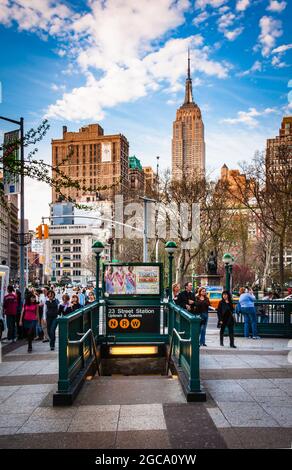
(30, 318)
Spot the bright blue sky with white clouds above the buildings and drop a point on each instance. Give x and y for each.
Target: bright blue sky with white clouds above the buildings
(123, 63)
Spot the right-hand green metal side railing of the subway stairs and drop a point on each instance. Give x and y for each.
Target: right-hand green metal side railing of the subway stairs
(184, 330)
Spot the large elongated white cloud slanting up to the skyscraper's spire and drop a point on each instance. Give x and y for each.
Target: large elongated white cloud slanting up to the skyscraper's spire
(120, 84)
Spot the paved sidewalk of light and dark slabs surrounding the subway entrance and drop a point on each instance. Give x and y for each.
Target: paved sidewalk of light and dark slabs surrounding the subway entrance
(249, 403)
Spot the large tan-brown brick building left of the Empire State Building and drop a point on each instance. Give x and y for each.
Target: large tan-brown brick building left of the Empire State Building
(93, 159)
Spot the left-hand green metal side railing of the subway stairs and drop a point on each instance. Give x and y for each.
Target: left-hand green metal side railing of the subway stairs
(74, 354)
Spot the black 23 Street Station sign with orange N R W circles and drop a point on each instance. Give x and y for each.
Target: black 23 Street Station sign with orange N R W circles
(122, 319)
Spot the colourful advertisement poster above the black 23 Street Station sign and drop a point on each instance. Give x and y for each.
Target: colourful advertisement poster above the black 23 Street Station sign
(132, 280)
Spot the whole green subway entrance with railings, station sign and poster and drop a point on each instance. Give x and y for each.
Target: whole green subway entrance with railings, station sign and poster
(130, 330)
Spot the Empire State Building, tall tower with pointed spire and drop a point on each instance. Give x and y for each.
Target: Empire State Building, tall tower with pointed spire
(188, 145)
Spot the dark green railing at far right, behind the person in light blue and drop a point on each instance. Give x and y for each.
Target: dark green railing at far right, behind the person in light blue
(274, 318)
